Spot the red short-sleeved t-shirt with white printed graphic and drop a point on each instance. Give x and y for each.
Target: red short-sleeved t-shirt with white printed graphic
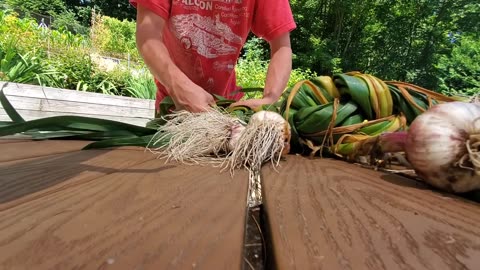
(205, 37)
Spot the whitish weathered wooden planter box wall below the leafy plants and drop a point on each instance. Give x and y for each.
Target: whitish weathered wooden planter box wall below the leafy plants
(33, 102)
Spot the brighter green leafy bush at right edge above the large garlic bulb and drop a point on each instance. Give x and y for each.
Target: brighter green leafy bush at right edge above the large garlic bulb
(460, 71)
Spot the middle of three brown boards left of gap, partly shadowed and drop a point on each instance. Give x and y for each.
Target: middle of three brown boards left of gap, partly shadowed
(29, 179)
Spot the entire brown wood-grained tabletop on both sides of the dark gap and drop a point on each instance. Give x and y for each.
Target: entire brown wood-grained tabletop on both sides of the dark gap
(66, 208)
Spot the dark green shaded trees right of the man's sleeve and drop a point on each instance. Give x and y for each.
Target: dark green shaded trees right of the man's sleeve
(397, 40)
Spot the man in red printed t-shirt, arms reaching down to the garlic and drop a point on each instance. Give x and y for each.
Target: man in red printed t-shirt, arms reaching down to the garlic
(192, 46)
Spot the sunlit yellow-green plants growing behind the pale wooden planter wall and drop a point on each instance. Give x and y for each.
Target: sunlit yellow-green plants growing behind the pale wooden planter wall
(60, 58)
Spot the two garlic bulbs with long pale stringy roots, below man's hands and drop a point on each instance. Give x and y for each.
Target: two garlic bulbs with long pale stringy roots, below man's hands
(220, 139)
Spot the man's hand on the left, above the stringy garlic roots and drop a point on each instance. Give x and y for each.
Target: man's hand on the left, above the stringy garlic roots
(191, 97)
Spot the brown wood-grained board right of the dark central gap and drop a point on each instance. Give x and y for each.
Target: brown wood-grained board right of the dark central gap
(327, 214)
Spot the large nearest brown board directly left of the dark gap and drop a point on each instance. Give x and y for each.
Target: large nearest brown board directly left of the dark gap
(148, 216)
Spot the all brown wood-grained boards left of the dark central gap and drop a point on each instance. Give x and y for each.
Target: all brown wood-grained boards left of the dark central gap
(61, 208)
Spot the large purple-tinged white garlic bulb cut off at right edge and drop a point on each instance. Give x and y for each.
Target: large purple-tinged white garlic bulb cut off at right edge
(443, 146)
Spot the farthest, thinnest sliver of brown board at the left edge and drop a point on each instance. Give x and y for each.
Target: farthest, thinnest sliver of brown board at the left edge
(23, 150)
